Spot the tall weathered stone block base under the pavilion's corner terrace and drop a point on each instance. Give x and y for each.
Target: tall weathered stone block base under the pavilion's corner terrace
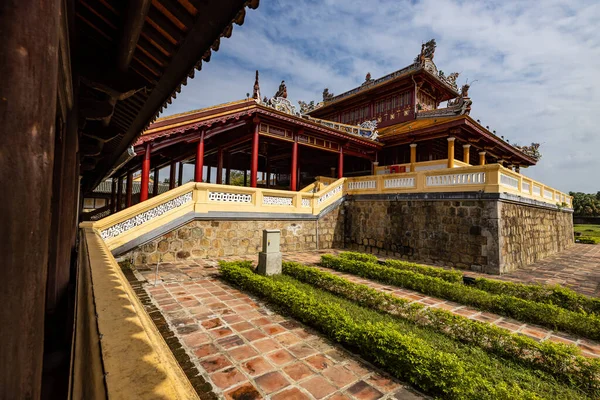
(491, 235)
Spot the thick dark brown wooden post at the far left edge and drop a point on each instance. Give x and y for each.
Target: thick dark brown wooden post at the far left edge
(29, 70)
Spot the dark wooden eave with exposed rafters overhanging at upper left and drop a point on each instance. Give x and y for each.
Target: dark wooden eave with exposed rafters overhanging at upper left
(160, 42)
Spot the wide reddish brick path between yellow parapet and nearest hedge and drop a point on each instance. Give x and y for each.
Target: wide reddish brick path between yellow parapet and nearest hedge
(249, 352)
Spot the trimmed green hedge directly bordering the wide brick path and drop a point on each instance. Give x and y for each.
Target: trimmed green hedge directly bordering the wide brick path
(408, 357)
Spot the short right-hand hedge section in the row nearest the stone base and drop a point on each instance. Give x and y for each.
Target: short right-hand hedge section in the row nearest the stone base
(551, 294)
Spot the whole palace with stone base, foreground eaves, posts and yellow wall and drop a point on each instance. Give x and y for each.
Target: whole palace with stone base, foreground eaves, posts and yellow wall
(92, 176)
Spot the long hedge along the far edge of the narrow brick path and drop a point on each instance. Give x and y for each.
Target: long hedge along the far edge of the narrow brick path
(548, 315)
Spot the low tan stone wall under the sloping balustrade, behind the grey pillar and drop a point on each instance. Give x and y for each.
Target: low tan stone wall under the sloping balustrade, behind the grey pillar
(223, 238)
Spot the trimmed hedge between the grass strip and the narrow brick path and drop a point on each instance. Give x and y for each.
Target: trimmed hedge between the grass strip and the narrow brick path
(556, 358)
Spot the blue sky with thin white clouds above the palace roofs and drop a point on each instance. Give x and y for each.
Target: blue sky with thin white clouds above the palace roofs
(536, 65)
